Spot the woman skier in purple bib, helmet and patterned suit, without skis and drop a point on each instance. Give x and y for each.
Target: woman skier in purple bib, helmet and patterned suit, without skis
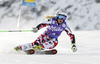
(49, 39)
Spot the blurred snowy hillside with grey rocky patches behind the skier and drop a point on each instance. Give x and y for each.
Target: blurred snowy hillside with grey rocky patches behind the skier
(82, 14)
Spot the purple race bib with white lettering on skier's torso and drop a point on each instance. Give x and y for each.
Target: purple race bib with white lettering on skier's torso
(54, 29)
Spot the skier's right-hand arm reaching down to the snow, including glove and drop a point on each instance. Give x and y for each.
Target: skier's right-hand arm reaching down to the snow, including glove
(72, 37)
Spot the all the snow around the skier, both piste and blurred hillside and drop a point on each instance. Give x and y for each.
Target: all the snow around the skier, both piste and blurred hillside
(83, 15)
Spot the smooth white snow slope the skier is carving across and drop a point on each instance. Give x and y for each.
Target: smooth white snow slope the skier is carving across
(88, 44)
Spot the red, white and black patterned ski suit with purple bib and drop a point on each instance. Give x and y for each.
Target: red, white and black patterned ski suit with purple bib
(49, 39)
